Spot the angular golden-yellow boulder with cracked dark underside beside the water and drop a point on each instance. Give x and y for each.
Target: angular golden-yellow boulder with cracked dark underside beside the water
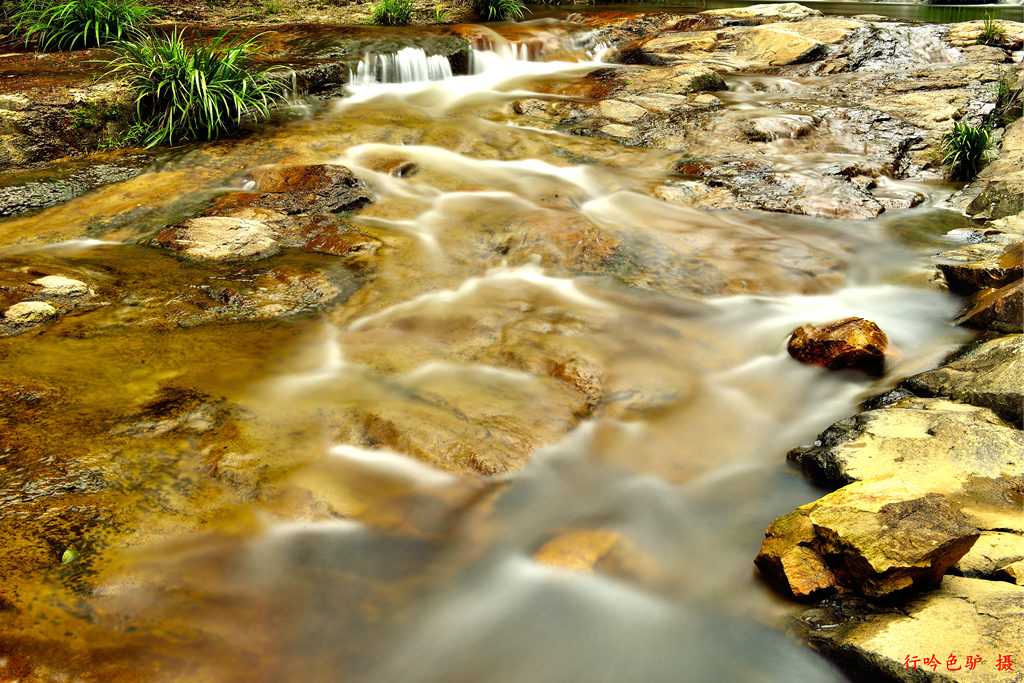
(874, 538)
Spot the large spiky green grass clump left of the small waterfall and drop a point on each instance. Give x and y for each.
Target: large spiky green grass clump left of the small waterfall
(194, 93)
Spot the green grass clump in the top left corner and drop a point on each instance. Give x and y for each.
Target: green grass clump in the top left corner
(67, 25)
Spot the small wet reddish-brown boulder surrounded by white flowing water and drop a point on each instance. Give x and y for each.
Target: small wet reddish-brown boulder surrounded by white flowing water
(850, 344)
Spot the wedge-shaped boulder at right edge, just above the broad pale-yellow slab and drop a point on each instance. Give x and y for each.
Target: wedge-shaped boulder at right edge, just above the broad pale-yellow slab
(989, 374)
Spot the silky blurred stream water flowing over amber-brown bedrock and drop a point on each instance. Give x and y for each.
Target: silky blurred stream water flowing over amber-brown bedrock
(230, 525)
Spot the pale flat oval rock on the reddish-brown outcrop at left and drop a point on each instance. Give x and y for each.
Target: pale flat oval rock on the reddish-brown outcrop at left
(221, 239)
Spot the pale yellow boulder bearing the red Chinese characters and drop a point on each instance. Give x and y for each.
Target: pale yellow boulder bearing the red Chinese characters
(984, 620)
